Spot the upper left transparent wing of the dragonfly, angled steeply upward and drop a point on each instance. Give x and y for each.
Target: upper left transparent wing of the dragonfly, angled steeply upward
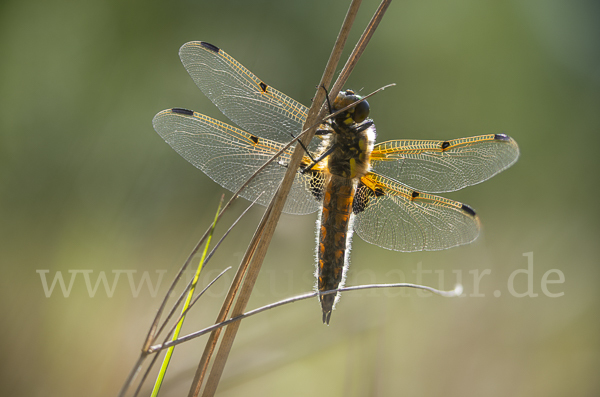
(240, 95)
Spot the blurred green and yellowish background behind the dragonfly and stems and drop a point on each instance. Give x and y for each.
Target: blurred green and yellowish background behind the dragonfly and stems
(86, 184)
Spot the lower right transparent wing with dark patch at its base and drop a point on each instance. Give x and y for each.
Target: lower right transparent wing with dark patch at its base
(396, 217)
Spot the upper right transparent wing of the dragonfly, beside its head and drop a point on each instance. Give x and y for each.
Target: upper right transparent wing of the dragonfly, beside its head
(444, 166)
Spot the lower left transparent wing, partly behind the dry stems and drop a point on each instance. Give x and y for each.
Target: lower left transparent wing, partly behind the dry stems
(229, 156)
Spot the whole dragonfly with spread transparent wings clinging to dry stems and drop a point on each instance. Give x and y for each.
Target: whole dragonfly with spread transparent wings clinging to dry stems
(385, 192)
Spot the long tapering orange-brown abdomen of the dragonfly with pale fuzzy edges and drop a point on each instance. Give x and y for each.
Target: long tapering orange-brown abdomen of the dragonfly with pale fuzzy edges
(335, 235)
